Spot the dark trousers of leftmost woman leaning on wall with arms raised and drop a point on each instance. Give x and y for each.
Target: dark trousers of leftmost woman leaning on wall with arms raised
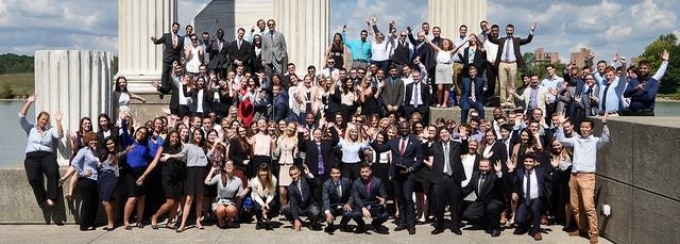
(37, 164)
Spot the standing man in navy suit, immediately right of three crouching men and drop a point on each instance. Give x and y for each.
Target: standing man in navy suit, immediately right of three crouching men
(407, 158)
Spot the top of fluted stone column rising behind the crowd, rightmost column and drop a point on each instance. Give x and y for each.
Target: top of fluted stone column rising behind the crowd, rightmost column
(449, 15)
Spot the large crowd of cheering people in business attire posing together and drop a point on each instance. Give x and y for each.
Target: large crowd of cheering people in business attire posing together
(245, 138)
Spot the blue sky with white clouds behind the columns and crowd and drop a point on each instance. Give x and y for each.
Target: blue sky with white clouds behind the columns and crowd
(606, 26)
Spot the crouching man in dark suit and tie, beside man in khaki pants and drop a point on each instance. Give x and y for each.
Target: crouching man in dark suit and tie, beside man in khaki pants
(530, 184)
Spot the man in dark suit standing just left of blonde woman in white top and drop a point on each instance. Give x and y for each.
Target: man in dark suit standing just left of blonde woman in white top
(320, 156)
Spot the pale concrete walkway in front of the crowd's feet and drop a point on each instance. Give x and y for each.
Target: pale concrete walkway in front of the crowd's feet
(247, 234)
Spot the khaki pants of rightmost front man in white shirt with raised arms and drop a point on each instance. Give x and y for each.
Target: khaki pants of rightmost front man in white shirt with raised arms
(582, 190)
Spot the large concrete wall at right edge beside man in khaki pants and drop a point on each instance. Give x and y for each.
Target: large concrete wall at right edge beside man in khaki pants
(637, 176)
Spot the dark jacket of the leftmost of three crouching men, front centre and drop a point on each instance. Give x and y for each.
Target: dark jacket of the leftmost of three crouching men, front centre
(299, 200)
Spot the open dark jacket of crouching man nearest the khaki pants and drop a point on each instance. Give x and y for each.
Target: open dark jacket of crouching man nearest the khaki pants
(545, 175)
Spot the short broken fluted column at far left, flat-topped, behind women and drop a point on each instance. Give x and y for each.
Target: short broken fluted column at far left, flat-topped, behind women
(78, 83)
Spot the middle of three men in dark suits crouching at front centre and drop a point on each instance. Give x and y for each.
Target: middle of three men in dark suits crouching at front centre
(337, 200)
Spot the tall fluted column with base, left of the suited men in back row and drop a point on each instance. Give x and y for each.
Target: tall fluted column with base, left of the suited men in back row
(139, 60)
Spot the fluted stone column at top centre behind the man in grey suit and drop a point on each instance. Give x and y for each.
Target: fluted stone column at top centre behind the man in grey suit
(305, 26)
